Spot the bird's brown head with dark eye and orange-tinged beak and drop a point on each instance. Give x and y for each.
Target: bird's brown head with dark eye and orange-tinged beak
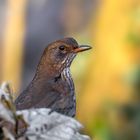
(59, 54)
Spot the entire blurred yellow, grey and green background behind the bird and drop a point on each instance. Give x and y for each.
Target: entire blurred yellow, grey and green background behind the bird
(107, 78)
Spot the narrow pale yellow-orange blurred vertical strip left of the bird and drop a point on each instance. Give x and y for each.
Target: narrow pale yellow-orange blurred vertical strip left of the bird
(13, 42)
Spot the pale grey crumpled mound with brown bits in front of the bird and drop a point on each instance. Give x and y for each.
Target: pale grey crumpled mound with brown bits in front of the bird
(35, 124)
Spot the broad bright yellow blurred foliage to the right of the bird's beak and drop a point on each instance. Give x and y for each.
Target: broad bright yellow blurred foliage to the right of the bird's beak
(113, 56)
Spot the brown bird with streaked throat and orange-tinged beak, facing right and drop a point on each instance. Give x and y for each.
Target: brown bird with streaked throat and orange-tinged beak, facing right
(52, 85)
